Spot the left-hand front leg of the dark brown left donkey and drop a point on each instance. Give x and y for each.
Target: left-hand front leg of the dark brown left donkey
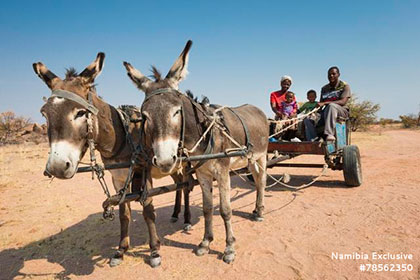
(125, 217)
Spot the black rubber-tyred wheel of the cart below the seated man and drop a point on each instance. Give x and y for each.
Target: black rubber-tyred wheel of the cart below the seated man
(352, 166)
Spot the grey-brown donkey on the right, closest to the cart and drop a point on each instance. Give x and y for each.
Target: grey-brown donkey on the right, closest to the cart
(174, 121)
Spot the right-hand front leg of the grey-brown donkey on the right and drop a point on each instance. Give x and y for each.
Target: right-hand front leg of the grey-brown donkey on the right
(226, 213)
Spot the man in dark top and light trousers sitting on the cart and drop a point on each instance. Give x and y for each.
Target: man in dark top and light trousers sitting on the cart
(334, 97)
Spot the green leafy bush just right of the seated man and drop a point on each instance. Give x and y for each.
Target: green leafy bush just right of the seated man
(362, 113)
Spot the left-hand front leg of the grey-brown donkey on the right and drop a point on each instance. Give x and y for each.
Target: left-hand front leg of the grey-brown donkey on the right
(206, 184)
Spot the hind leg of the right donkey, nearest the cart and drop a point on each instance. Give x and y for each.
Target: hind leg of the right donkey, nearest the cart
(259, 173)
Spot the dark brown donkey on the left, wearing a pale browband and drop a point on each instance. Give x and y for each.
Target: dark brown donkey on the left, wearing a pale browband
(68, 131)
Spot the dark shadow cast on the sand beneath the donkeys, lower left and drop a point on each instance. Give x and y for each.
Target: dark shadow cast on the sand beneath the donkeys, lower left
(91, 242)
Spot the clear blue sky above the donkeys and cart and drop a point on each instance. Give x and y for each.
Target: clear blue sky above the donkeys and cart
(240, 48)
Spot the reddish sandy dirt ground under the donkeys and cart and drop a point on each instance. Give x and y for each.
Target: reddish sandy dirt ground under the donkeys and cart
(54, 230)
